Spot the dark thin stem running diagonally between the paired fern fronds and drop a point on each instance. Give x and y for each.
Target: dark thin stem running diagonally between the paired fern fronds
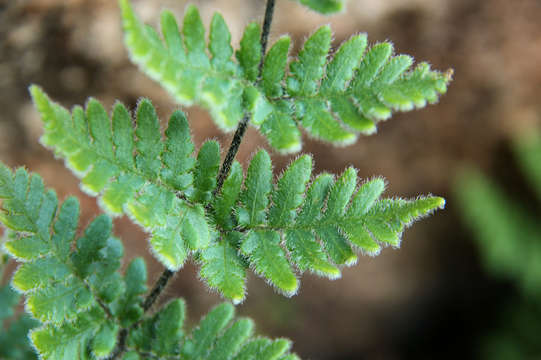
(160, 285)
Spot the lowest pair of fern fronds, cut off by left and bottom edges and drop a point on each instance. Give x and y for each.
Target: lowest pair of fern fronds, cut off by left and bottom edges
(74, 289)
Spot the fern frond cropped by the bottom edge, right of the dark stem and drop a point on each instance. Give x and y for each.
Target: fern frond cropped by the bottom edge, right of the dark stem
(217, 337)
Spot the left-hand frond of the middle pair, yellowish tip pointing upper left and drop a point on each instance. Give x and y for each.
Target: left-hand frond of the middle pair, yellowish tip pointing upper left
(157, 183)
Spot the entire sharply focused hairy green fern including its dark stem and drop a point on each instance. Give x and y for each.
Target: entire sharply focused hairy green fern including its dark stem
(194, 205)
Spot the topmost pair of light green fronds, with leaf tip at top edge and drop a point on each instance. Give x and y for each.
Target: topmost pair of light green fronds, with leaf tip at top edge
(333, 99)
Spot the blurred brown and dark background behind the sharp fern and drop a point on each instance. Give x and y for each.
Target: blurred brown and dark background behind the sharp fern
(467, 281)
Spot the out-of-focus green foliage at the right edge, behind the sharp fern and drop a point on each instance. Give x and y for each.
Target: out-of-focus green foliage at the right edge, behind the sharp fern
(509, 239)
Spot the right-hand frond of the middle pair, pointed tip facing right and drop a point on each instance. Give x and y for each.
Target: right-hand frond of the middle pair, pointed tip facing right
(280, 226)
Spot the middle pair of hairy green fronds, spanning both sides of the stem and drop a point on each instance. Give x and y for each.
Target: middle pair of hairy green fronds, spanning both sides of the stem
(270, 227)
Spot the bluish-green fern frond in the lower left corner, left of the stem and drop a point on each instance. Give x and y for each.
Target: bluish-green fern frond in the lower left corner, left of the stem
(70, 286)
